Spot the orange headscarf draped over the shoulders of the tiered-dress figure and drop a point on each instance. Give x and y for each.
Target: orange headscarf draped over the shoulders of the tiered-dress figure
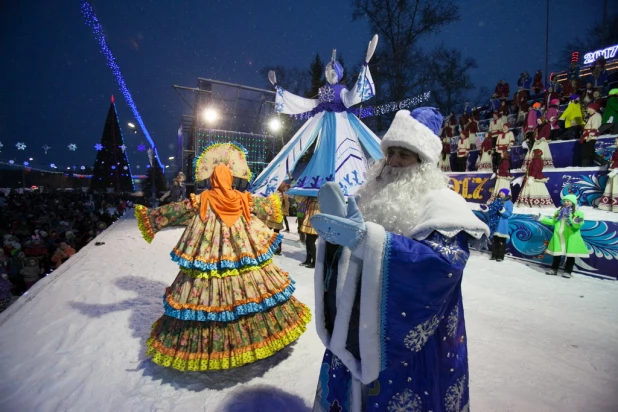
(227, 203)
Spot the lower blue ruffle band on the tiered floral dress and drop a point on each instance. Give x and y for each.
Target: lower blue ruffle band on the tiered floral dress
(228, 316)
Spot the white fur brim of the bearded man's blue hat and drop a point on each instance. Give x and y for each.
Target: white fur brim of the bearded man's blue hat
(409, 133)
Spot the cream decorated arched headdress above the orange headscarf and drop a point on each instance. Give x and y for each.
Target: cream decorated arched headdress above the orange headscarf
(232, 155)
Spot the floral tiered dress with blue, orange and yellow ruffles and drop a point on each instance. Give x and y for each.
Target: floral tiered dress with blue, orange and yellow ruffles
(230, 305)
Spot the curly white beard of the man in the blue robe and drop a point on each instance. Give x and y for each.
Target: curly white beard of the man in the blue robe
(394, 201)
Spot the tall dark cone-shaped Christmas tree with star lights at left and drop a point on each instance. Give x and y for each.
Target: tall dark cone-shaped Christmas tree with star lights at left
(111, 168)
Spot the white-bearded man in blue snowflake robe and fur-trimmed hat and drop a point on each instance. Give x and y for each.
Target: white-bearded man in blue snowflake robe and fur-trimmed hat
(388, 281)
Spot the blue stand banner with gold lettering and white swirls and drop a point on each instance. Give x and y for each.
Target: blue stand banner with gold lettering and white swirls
(586, 183)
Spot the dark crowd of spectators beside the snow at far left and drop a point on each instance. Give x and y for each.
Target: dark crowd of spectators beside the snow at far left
(41, 231)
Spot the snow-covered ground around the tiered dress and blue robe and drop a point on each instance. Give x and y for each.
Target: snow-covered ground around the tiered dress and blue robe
(76, 341)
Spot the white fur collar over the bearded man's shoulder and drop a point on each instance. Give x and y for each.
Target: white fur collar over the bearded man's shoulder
(448, 213)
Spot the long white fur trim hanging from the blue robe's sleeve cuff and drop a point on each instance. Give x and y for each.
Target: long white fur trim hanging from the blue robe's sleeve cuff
(368, 369)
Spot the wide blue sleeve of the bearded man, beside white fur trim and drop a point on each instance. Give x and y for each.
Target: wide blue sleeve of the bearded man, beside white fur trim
(423, 284)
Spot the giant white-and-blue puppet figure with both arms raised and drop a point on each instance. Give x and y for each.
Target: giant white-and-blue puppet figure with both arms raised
(342, 139)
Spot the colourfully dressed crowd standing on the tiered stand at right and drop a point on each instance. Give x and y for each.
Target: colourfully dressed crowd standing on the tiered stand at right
(569, 107)
